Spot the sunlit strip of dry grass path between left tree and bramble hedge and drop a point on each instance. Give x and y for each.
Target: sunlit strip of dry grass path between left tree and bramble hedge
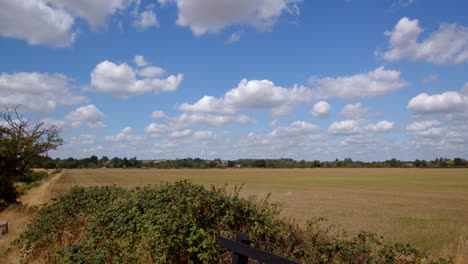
(41, 194)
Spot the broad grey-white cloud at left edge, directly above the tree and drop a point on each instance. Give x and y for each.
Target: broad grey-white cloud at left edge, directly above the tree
(36, 92)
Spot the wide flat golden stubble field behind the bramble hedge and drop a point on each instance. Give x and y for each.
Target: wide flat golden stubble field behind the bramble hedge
(425, 207)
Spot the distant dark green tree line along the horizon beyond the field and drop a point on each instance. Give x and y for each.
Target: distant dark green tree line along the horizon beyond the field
(116, 162)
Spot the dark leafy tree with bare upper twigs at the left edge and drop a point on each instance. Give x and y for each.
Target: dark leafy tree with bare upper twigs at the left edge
(21, 145)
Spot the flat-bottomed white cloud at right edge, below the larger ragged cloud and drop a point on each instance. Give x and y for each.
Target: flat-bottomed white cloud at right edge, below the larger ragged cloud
(448, 102)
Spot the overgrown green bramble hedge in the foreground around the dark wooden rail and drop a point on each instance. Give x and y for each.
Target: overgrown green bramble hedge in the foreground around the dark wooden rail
(179, 223)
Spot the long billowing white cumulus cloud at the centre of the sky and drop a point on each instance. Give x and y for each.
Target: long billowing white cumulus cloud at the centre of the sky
(253, 94)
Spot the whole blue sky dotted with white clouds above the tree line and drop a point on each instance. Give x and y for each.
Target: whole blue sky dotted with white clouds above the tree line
(369, 80)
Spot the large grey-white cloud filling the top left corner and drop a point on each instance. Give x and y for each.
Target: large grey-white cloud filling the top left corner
(52, 22)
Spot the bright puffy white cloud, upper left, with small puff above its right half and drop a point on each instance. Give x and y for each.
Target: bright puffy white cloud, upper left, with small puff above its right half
(121, 80)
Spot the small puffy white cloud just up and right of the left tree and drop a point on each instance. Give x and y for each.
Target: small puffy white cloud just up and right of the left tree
(88, 114)
